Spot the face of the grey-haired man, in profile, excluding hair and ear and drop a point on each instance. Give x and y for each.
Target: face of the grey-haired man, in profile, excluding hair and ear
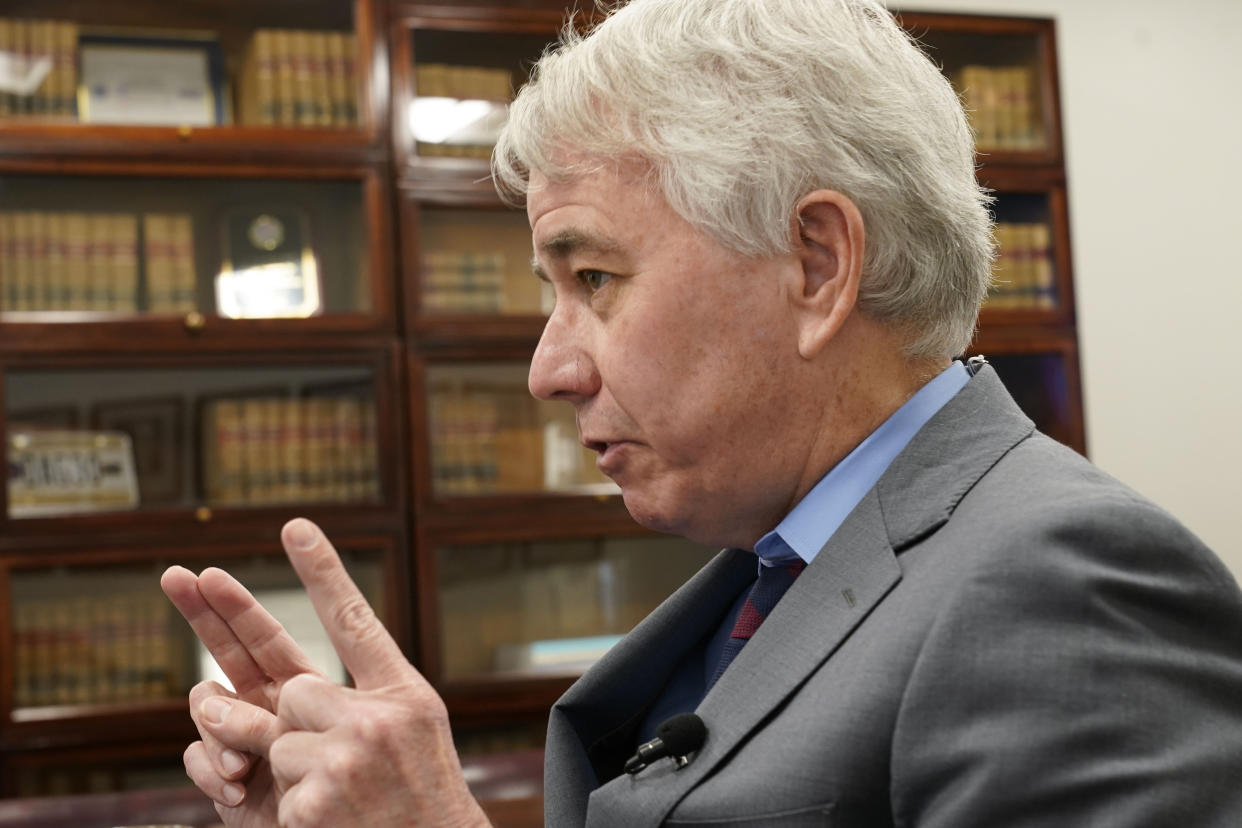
(678, 356)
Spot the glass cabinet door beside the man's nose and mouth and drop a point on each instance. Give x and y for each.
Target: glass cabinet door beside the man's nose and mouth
(490, 436)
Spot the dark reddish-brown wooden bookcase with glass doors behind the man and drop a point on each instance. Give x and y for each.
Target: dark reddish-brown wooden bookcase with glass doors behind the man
(476, 511)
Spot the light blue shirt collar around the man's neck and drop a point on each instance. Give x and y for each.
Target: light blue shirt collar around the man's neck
(808, 528)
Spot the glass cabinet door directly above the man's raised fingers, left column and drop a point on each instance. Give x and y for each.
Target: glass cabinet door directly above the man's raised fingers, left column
(117, 440)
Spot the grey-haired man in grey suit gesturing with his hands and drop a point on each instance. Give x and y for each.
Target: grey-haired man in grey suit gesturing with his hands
(767, 245)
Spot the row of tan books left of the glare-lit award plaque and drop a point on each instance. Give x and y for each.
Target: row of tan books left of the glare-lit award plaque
(89, 261)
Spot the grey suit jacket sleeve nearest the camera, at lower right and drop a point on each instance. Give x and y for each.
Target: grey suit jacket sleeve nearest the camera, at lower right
(1091, 675)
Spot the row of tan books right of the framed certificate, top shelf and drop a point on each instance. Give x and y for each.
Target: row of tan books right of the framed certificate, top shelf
(294, 78)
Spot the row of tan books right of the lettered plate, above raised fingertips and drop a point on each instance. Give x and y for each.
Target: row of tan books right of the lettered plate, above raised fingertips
(276, 450)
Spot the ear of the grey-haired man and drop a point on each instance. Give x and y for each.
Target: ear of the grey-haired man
(829, 244)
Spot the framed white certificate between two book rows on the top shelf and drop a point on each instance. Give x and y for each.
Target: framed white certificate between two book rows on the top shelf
(152, 81)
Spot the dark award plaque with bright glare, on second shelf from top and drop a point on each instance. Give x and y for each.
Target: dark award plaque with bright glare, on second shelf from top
(269, 269)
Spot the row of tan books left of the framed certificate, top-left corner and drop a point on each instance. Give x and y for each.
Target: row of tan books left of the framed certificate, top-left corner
(47, 50)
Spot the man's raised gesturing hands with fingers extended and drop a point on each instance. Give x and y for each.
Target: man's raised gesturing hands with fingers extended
(377, 755)
